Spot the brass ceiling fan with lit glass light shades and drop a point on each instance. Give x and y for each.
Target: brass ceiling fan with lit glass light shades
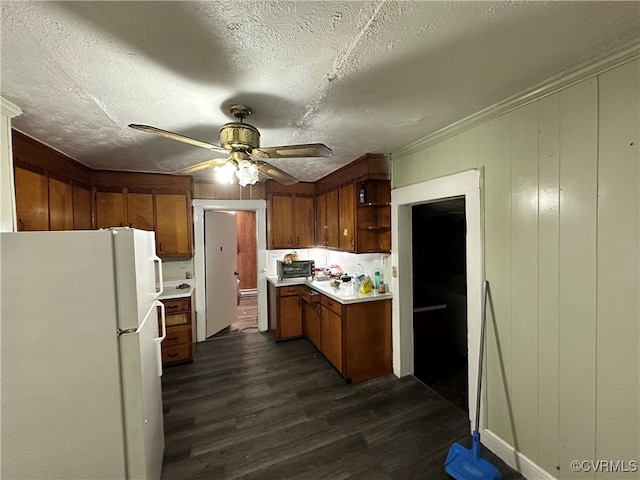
(241, 142)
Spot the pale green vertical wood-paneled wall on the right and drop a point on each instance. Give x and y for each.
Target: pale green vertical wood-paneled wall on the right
(561, 229)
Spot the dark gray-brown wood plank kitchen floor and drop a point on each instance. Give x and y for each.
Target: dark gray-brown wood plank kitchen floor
(253, 409)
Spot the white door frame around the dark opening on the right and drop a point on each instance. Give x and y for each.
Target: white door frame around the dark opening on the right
(465, 184)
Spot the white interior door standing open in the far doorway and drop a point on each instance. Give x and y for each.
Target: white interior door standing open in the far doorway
(221, 257)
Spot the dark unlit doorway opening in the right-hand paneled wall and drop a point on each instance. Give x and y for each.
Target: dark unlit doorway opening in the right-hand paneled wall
(440, 298)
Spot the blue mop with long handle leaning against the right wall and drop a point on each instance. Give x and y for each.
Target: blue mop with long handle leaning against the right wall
(463, 463)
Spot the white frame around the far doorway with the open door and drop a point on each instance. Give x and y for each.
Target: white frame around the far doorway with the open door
(260, 207)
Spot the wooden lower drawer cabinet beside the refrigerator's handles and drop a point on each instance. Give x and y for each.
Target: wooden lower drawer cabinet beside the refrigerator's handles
(177, 347)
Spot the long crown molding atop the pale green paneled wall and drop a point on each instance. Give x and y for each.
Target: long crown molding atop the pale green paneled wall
(548, 87)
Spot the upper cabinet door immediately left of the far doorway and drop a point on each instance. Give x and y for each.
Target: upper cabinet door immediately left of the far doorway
(172, 231)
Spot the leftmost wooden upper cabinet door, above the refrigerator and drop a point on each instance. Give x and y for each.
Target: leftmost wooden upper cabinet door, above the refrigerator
(32, 205)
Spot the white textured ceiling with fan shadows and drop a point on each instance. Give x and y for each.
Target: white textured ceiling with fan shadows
(359, 76)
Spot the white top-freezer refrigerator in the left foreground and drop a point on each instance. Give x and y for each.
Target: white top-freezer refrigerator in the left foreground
(81, 394)
